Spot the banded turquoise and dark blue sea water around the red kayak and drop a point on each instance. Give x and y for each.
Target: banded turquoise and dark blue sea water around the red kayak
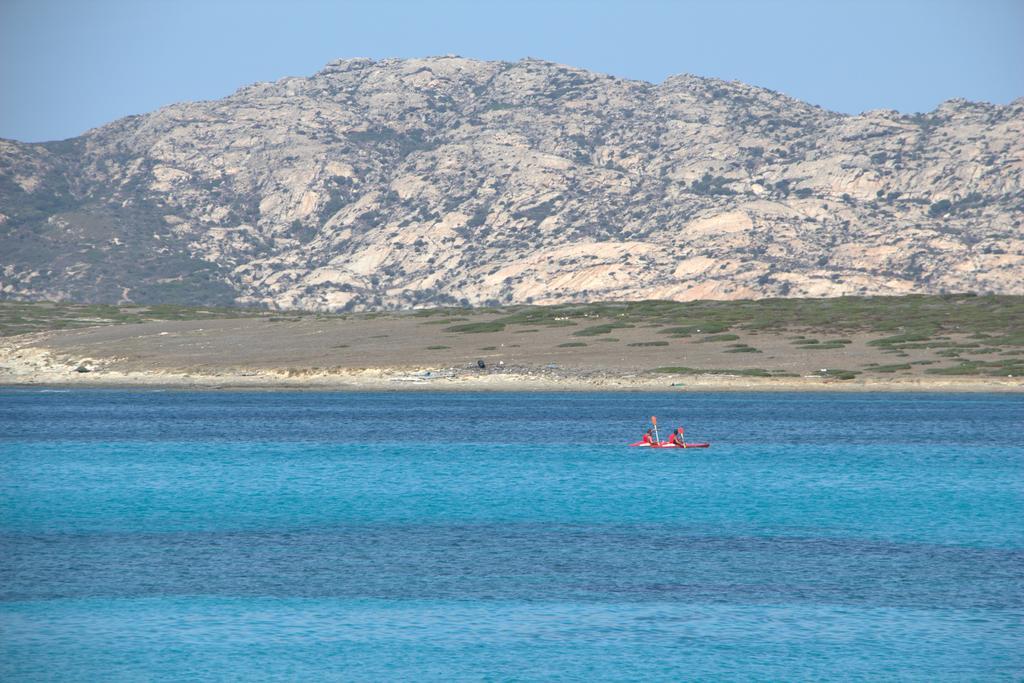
(163, 536)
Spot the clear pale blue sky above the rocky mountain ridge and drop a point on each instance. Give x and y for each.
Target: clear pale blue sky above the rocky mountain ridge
(69, 66)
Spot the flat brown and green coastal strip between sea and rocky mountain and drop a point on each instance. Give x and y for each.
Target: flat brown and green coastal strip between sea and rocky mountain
(899, 344)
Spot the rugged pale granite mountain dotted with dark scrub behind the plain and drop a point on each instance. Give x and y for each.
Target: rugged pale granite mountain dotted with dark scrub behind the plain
(439, 182)
